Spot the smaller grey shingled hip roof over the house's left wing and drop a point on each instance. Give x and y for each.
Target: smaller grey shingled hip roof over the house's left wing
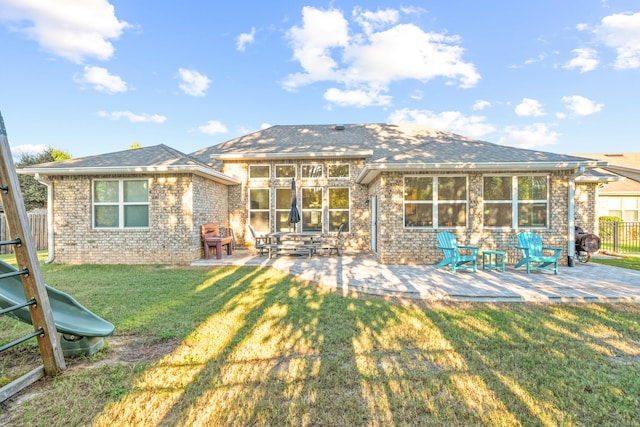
(146, 160)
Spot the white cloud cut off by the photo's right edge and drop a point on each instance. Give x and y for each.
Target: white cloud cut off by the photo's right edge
(622, 33)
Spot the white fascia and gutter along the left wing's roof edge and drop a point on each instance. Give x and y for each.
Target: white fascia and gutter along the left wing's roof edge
(134, 170)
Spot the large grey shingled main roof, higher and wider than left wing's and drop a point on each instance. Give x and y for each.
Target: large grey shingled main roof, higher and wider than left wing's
(386, 147)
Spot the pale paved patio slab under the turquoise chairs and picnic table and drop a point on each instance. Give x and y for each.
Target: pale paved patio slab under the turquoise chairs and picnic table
(360, 272)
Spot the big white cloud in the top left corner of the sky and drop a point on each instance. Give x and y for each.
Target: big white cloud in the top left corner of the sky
(71, 29)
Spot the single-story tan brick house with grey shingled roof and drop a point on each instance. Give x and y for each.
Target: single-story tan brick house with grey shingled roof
(393, 186)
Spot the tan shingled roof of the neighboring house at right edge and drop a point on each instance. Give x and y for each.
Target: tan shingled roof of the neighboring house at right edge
(622, 165)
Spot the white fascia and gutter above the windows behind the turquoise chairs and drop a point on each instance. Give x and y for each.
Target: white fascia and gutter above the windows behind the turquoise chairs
(370, 171)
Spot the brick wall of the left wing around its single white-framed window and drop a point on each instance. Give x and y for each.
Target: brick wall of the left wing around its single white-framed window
(173, 236)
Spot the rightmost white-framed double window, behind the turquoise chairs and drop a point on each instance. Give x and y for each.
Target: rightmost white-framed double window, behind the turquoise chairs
(520, 201)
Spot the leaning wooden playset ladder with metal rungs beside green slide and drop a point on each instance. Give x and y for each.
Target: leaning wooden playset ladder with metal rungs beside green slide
(29, 269)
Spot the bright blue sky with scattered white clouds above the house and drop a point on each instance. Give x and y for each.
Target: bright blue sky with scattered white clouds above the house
(96, 76)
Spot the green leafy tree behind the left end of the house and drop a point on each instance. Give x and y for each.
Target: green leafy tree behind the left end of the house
(34, 193)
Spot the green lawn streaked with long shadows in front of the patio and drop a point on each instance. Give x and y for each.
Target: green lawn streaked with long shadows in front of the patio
(255, 347)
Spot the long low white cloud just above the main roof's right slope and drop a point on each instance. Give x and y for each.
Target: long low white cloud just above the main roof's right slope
(451, 121)
